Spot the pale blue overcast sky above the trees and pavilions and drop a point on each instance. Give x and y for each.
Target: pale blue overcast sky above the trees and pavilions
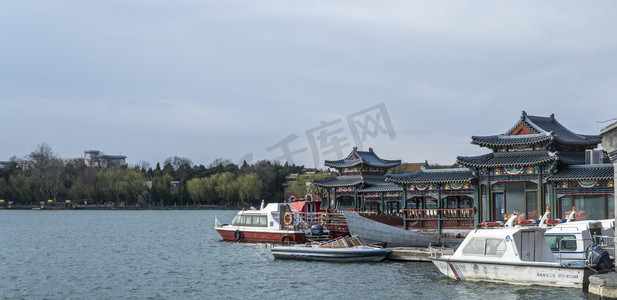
(302, 81)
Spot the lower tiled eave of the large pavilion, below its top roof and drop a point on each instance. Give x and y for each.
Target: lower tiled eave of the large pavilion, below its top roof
(508, 159)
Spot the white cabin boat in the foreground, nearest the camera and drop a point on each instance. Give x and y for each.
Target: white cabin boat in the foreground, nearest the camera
(510, 254)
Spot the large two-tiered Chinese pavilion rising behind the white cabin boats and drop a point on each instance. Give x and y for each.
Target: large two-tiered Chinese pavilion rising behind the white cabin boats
(538, 163)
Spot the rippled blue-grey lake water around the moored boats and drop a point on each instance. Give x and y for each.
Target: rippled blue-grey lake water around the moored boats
(178, 255)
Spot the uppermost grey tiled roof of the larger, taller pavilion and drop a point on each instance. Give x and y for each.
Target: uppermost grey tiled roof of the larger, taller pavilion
(545, 128)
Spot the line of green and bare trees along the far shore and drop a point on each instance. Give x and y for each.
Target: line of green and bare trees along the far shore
(42, 176)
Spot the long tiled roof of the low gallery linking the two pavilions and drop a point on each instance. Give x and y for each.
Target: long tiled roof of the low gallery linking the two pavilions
(457, 175)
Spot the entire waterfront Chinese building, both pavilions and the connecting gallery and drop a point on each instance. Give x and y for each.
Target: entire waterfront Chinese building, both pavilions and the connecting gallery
(537, 163)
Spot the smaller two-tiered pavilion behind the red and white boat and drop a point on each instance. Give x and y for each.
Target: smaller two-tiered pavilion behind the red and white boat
(362, 185)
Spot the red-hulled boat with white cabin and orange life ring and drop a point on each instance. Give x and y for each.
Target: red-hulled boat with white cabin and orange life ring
(273, 223)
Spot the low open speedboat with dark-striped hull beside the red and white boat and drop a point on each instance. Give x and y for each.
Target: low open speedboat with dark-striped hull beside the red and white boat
(343, 249)
